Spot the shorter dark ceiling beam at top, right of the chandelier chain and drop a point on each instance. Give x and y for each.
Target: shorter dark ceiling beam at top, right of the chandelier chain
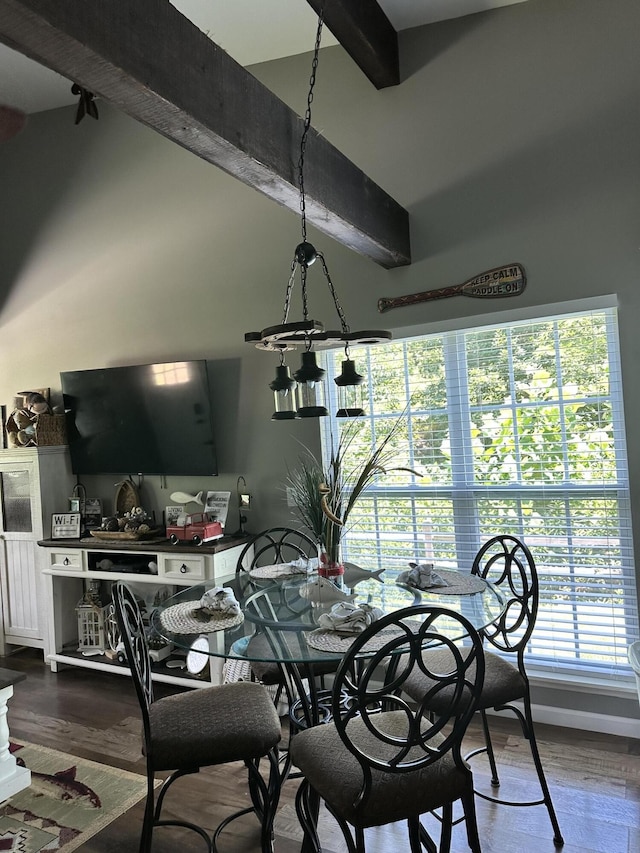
(365, 32)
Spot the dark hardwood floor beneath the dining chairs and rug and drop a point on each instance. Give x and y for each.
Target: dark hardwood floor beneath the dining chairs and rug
(595, 779)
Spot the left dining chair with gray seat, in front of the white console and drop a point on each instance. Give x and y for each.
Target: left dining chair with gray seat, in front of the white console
(200, 728)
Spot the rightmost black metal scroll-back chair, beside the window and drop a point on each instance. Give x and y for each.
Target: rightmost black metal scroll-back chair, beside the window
(508, 563)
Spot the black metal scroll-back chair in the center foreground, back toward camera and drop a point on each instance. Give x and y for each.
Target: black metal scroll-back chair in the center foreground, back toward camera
(383, 759)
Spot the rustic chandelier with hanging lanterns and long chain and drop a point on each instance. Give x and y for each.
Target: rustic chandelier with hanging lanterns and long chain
(302, 395)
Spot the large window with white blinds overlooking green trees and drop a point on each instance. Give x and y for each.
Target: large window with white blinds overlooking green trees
(515, 429)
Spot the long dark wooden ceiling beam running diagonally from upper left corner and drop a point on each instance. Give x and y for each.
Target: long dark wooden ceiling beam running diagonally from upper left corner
(152, 63)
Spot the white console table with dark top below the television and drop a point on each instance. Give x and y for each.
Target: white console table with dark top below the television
(70, 564)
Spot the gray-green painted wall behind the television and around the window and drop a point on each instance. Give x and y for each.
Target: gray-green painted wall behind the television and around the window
(514, 136)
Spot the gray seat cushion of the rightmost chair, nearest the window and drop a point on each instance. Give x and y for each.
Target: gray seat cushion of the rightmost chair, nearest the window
(502, 681)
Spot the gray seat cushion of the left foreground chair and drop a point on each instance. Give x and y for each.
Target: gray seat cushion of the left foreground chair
(212, 725)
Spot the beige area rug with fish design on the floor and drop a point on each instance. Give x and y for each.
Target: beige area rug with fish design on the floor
(69, 801)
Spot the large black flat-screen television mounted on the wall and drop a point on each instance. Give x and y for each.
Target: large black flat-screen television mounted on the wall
(141, 419)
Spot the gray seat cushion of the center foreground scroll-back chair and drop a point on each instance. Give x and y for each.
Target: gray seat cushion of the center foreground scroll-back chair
(337, 776)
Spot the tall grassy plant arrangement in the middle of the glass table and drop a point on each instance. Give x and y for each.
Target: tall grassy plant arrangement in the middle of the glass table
(325, 496)
